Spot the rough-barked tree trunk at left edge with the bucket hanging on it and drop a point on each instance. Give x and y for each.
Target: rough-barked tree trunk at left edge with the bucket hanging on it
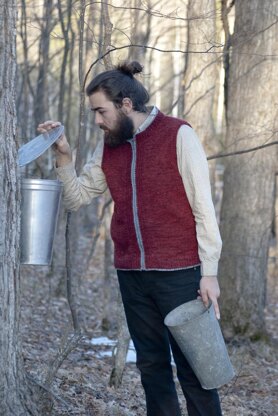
(14, 392)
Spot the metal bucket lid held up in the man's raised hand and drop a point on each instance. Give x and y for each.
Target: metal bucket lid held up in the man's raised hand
(37, 146)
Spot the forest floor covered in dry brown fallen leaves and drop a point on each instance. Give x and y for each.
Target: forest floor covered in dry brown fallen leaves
(81, 385)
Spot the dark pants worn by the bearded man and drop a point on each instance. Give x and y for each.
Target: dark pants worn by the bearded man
(147, 297)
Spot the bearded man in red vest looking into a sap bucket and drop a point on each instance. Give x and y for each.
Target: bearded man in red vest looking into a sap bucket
(166, 238)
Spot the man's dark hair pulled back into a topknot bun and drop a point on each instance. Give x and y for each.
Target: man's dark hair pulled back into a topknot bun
(119, 83)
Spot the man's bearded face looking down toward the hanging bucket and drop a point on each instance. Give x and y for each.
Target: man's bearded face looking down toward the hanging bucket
(117, 126)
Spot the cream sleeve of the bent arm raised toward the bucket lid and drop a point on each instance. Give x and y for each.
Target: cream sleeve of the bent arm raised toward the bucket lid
(90, 184)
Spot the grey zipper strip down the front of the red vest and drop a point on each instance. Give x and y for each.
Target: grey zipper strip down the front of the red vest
(134, 205)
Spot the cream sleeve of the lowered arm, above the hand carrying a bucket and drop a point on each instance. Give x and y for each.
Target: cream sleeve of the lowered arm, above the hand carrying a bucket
(193, 168)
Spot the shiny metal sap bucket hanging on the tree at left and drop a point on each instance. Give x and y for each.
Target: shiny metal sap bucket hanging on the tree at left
(40, 205)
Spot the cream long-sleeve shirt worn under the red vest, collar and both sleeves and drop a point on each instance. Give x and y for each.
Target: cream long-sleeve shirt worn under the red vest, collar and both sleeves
(193, 168)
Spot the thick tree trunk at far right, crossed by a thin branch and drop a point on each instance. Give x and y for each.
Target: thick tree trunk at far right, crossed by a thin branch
(248, 199)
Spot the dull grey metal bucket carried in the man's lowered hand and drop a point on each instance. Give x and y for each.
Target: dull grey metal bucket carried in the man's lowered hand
(198, 334)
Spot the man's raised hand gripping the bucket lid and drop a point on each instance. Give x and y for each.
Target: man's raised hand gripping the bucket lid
(61, 146)
